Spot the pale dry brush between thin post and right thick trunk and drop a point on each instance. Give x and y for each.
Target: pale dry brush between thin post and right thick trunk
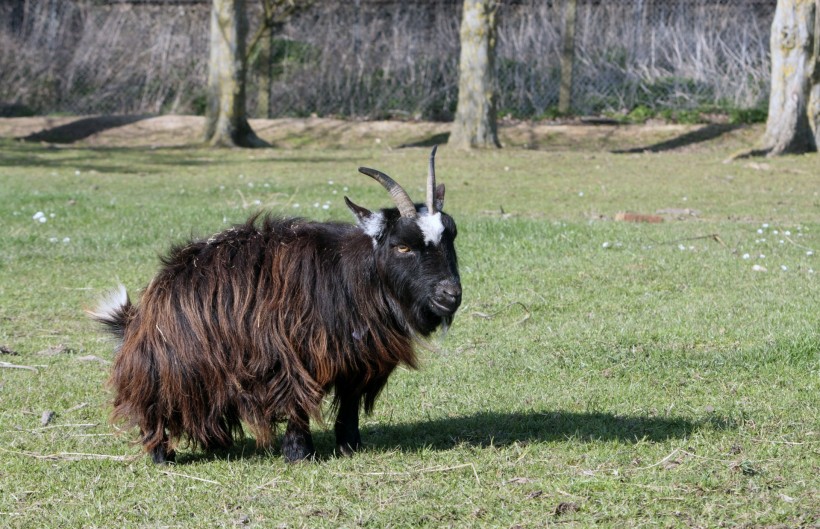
(672, 55)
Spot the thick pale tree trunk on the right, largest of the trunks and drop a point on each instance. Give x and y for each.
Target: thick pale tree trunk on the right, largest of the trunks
(788, 129)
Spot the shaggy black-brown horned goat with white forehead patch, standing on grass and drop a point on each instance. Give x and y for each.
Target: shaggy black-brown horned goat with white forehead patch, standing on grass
(258, 323)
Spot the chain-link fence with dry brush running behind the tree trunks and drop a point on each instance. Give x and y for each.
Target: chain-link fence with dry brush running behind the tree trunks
(384, 58)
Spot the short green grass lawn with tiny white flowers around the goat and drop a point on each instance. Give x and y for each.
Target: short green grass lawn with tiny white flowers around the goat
(599, 372)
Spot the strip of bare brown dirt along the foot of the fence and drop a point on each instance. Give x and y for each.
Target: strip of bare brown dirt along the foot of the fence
(181, 131)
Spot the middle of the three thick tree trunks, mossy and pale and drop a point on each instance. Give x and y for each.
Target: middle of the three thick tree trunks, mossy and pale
(475, 122)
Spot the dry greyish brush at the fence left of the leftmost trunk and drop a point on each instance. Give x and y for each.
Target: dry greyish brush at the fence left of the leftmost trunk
(84, 58)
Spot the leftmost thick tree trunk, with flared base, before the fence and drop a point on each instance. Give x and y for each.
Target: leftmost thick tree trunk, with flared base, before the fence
(226, 119)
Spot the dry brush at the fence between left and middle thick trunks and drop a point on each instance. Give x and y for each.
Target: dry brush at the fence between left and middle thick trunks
(400, 60)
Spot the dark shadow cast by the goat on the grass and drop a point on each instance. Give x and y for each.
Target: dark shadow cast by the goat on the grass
(482, 430)
